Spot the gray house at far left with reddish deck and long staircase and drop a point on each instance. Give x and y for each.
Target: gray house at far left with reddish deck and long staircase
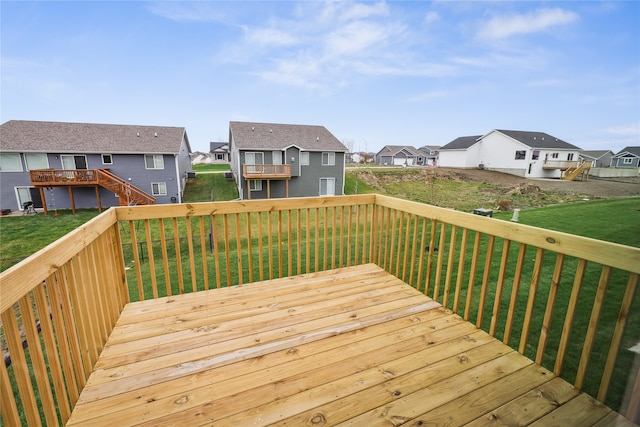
(60, 165)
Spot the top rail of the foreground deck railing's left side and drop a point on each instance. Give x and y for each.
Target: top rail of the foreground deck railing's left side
(21, 278)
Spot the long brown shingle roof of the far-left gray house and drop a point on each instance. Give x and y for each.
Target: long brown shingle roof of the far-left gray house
(61, 137)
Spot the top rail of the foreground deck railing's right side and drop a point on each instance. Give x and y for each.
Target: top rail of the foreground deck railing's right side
(606, 253)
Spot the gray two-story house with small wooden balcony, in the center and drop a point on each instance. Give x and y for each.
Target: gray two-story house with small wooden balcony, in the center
(281, 160)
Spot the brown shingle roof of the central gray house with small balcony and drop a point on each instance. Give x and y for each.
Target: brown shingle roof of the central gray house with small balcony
(273, 136)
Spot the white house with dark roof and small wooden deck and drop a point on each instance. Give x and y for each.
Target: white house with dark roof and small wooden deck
(527, 154)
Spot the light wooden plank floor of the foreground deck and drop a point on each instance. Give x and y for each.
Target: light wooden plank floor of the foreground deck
(353, 346)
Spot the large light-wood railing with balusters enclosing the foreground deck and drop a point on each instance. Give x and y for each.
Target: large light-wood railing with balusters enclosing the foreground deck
(562, 300)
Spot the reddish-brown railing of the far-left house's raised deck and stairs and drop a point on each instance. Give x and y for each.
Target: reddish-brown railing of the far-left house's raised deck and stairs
(128, 193)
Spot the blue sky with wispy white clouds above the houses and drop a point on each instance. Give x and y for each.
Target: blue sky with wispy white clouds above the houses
(373, 73)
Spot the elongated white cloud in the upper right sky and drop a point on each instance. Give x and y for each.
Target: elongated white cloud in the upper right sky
(501, 27)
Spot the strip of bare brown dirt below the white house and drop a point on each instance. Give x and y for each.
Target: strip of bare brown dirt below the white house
(597, 188)
